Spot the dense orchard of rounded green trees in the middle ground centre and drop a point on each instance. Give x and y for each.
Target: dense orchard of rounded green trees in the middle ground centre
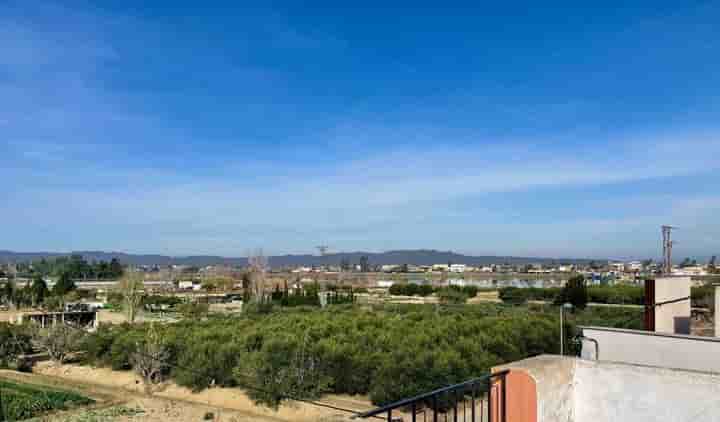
(386, 352)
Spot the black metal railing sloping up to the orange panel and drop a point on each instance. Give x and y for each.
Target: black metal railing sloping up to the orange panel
(476, 400)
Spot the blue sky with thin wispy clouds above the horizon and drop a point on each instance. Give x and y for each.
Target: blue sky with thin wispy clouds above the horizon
(554, 129)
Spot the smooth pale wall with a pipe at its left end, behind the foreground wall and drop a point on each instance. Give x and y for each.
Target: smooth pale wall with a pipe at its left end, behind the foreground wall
(653, 349)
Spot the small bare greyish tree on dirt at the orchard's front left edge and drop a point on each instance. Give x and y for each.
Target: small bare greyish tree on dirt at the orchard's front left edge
(149, 358)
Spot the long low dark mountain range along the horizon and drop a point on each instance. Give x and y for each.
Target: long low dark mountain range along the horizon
(412, 257)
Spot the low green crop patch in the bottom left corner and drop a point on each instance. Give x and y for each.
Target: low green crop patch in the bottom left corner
(22, 401)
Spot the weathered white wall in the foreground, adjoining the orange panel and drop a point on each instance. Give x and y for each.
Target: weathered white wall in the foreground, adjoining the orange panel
(576, 390)
